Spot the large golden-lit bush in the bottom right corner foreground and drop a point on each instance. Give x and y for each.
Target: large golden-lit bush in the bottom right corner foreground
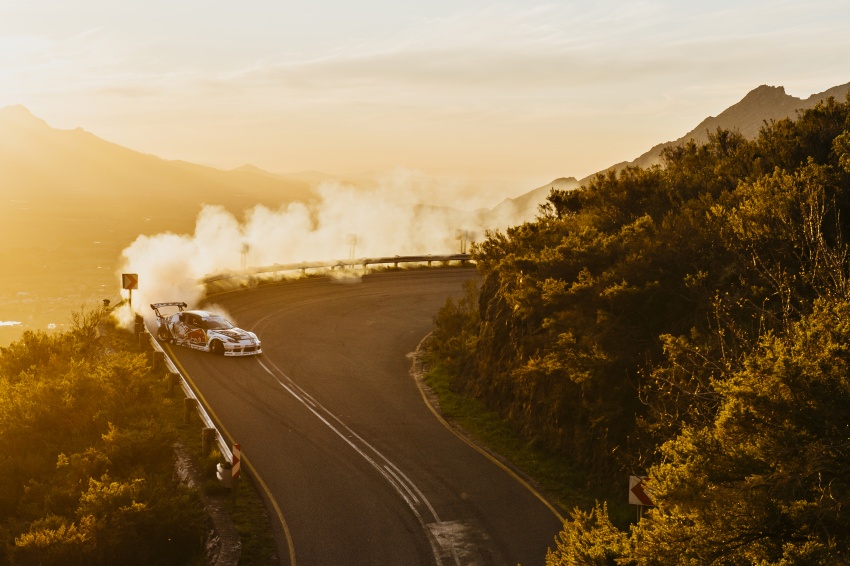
(768, 480)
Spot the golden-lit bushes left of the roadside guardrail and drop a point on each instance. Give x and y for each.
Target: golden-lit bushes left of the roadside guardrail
(86, 475)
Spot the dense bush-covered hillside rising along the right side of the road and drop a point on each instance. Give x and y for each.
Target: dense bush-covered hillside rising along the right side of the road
(689, 322)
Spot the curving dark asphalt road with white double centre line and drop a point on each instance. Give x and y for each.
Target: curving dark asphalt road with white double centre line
(336, 428)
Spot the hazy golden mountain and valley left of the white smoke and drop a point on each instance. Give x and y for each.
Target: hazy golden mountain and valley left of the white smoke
(70, 202)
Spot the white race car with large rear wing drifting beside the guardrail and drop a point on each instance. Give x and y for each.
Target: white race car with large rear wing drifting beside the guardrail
(204, 331)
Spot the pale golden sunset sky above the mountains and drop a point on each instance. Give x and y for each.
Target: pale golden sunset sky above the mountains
(510, 91)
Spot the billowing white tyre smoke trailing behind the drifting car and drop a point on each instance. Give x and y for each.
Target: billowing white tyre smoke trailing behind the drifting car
(401, 215)
